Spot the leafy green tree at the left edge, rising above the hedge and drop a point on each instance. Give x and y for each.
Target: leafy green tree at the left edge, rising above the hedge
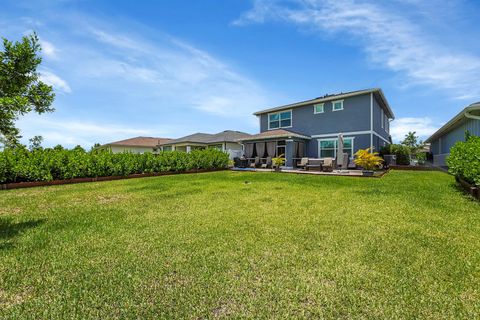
(21, 90)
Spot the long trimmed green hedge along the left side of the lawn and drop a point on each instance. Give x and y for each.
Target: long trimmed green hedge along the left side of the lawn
(19, 164)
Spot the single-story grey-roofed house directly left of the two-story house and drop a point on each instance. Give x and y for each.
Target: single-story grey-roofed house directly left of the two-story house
(226, 141)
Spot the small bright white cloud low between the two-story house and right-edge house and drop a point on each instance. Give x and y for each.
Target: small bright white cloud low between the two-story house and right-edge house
(424, 127)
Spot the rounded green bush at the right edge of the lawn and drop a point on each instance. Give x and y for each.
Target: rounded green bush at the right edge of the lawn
(464, 160)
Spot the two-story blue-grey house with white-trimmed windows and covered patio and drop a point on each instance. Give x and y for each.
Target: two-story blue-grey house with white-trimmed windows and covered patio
(311, 128)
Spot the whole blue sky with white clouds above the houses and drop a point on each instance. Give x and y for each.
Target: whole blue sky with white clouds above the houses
(171, 68)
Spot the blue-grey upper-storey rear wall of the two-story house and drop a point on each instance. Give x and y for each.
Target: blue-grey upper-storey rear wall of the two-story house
(355, 116)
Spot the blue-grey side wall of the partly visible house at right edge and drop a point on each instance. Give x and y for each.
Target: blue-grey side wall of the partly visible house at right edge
(441, 146)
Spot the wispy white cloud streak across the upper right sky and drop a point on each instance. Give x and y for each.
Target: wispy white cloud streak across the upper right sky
(389, 38)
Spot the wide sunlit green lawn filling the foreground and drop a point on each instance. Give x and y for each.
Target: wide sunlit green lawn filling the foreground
(242, 245)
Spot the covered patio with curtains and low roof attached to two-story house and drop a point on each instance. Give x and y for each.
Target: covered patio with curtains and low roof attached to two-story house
(275, 143)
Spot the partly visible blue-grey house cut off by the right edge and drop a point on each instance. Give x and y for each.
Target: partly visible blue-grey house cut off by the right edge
(454, 130)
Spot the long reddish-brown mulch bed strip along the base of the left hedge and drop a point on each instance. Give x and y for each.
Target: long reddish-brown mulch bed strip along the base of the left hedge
(19, 185)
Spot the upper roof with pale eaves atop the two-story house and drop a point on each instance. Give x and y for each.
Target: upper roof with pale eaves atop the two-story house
(329, 97)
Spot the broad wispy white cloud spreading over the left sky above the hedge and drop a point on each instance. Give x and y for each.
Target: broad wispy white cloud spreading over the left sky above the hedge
(131, 77)
